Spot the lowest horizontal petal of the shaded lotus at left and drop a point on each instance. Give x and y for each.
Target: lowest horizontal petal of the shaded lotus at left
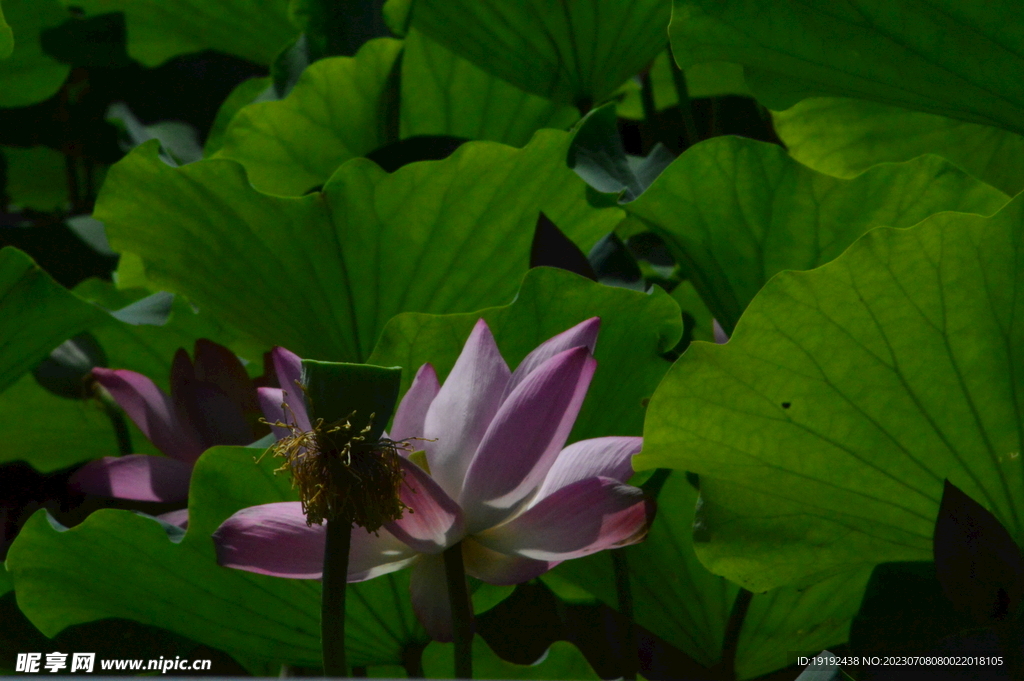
(137, 477)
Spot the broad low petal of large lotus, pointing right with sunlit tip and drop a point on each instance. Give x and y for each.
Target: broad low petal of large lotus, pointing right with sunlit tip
(577, 521)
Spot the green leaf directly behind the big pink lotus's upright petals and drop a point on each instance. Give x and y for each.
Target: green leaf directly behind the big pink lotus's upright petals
(636, 328)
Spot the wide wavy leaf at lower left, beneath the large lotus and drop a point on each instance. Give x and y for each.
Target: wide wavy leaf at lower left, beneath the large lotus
(120, 565)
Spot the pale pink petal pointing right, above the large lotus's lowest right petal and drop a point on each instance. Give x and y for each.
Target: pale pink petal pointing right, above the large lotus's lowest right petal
(601, 457)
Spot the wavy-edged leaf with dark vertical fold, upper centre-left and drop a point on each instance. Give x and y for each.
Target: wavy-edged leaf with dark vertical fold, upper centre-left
(339, 111)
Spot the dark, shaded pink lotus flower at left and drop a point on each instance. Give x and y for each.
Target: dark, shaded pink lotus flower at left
(212, 402)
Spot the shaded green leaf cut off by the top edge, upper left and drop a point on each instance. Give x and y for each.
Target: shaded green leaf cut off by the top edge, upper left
(159, 30)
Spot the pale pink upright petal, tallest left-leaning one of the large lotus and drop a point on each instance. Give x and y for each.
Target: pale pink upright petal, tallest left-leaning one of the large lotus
(463, 409)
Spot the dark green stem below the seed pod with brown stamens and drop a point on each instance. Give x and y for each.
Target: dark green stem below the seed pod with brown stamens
(339, 535)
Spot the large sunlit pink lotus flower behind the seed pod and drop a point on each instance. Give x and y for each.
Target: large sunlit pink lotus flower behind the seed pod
(496, 478)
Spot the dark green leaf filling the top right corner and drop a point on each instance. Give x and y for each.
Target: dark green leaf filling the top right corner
(961, 60)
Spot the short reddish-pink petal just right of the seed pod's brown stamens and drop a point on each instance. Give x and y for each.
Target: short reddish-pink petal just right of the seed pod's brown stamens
(436, 522)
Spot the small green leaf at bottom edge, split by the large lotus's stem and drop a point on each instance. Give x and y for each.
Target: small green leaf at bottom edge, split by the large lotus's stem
(563, 661)
